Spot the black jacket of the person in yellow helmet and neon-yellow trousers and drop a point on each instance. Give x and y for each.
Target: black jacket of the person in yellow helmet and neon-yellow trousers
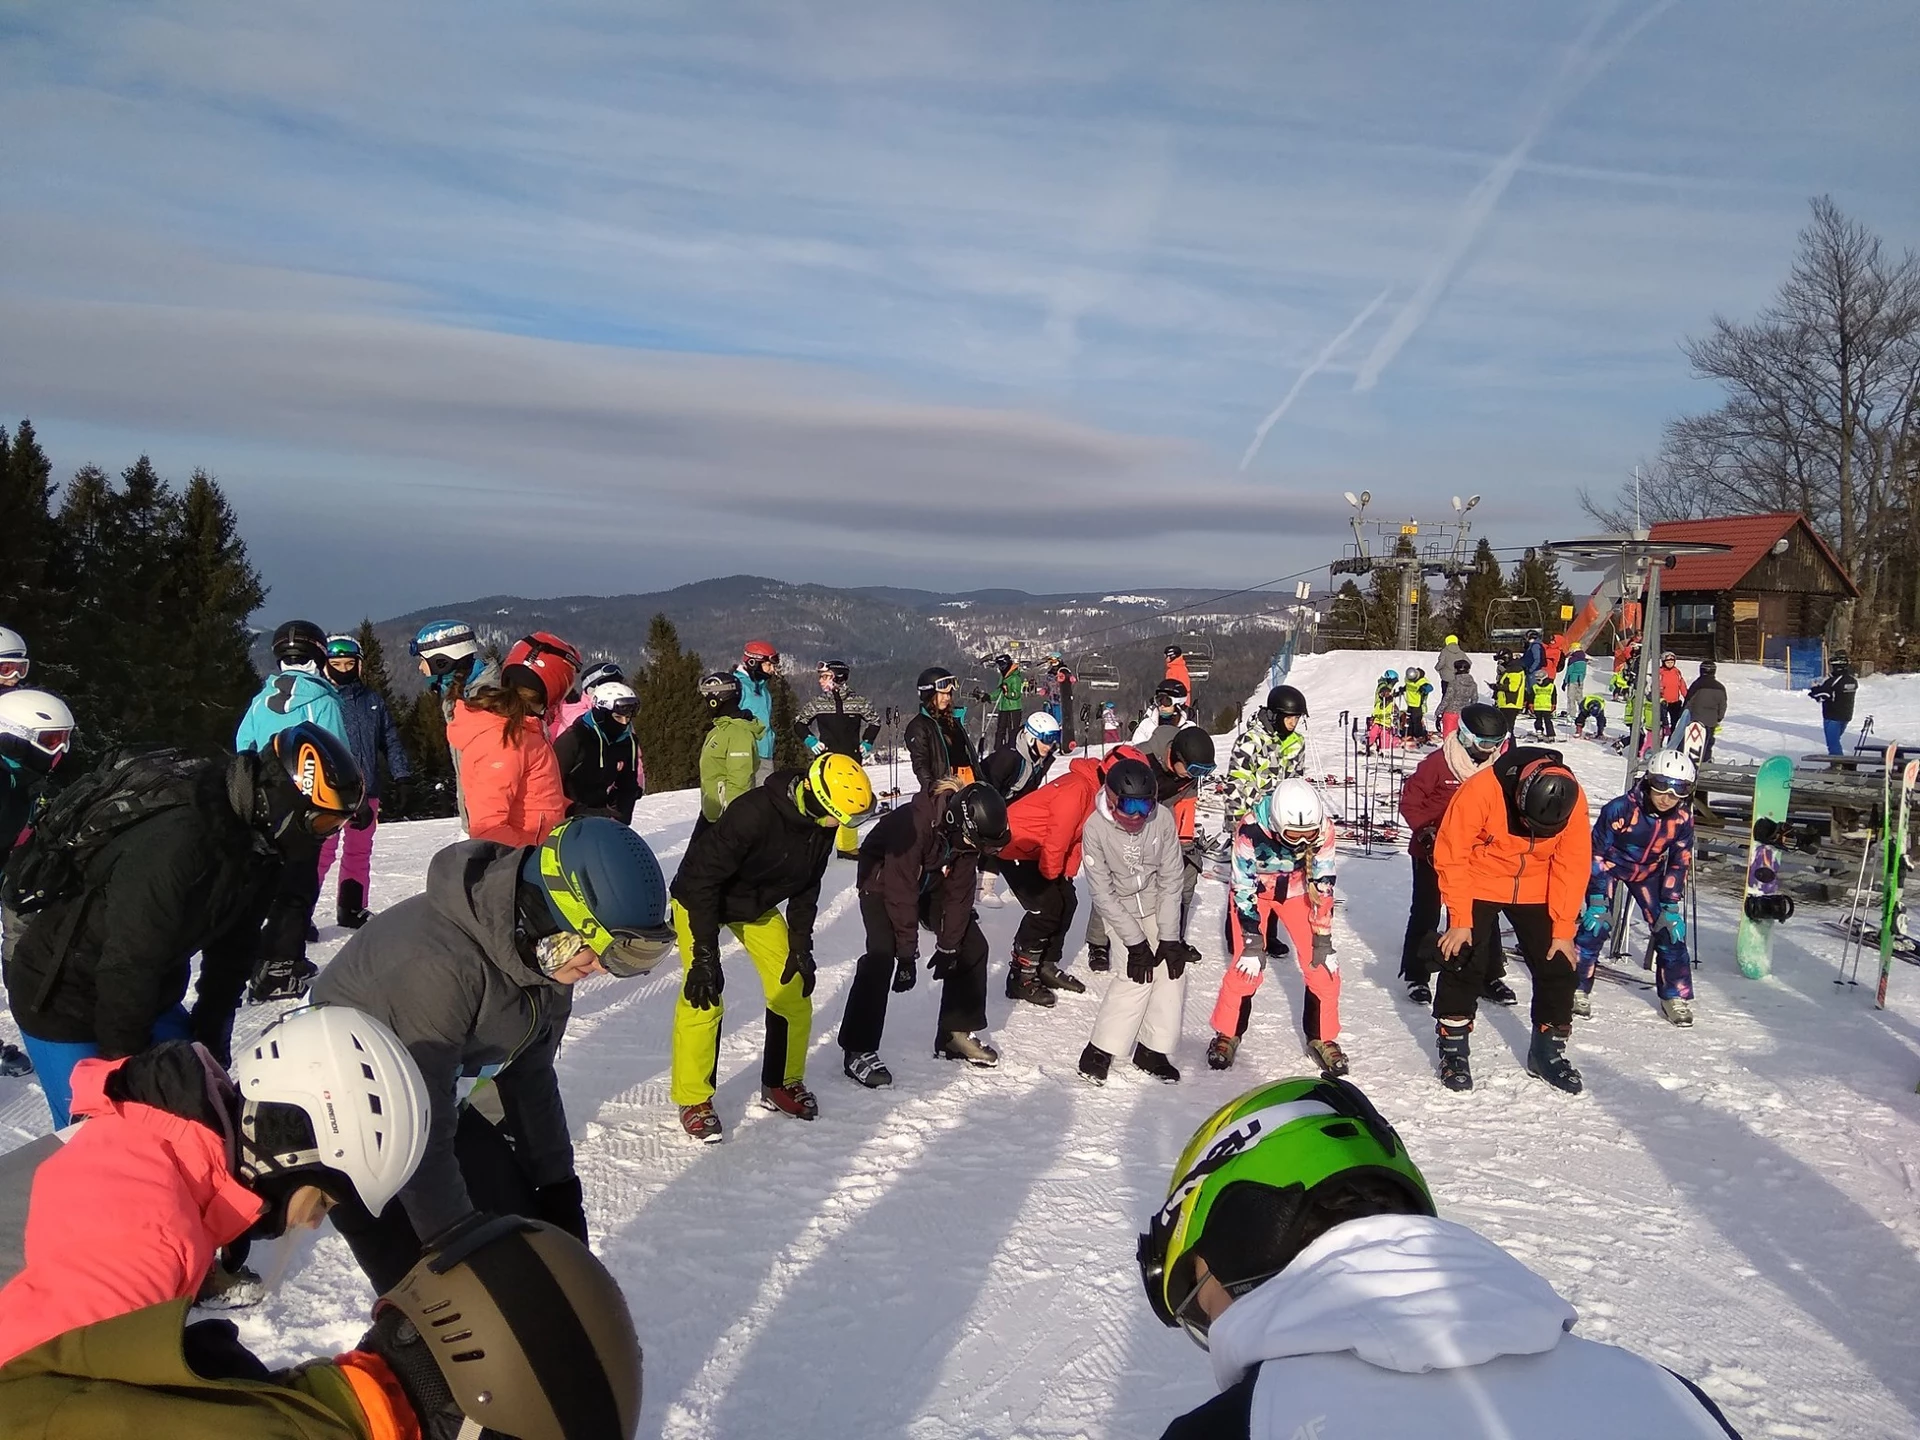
(759, 853)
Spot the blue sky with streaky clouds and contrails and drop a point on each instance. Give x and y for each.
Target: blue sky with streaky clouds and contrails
(466, 299)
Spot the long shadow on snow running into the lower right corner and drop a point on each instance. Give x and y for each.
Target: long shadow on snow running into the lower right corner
(1788, 1237)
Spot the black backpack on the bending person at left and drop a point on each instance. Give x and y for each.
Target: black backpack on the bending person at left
(130, 786)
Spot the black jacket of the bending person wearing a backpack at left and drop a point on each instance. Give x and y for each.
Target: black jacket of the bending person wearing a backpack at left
(103, 967)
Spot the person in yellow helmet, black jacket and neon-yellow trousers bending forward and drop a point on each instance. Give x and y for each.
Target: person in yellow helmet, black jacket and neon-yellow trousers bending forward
(771, 848)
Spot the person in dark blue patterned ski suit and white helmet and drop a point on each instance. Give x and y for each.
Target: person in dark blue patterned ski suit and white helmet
(1644, 840)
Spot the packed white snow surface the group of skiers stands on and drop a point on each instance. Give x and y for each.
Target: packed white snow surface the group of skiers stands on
(955, 1257)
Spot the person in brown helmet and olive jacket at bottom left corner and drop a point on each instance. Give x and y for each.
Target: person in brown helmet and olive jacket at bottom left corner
(546, 1347)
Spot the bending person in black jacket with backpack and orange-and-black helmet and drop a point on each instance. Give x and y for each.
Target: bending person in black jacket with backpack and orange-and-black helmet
(139, 867)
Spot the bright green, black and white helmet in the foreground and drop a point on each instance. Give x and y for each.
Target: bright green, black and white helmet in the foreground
(1264, 1178)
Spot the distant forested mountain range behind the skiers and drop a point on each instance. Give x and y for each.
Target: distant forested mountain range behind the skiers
(892, 635)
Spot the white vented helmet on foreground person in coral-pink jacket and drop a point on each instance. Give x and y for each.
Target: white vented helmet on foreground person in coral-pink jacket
(360, 1099)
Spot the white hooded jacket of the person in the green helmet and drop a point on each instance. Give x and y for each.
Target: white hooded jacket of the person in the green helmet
(1406, 1326)
